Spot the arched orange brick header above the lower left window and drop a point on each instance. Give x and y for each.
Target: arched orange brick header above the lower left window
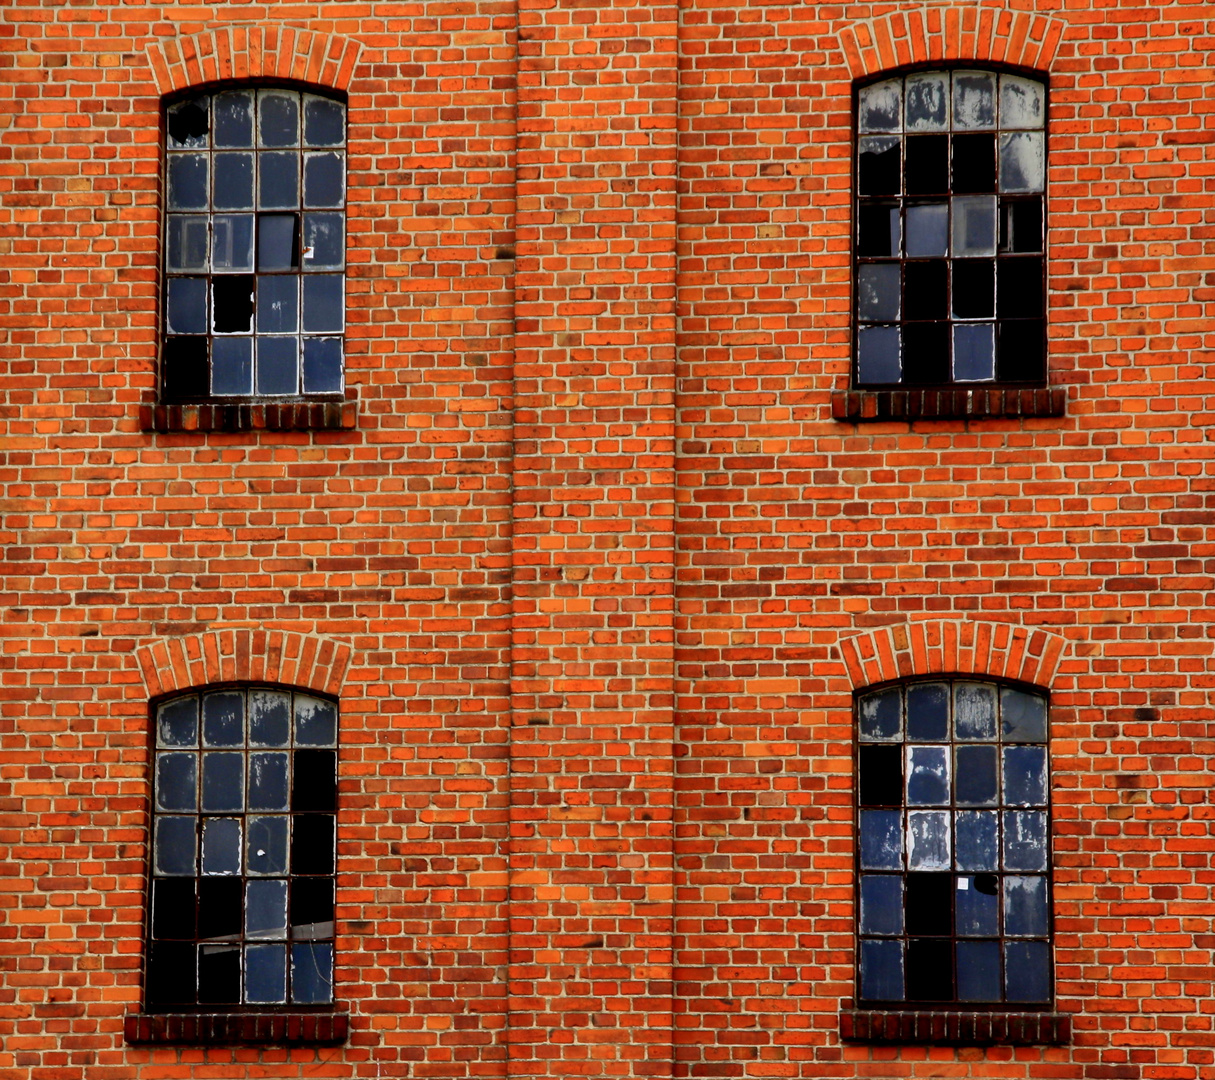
(244, 657)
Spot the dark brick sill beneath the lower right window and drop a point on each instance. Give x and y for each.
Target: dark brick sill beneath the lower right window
(957, 1028)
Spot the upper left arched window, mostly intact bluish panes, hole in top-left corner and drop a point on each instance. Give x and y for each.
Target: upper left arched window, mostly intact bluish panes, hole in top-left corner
(255, 246)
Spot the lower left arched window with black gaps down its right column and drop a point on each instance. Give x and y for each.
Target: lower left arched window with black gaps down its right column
(244, 851)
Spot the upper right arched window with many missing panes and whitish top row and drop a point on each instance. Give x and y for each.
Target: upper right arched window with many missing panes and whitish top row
(951, 173)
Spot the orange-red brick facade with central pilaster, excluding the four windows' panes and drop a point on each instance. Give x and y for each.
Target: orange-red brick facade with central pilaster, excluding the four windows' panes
(602, 541)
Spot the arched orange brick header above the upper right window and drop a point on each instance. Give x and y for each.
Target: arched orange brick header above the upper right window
(931, 35)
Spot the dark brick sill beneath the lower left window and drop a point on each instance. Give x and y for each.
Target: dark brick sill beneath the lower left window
(239, 1028)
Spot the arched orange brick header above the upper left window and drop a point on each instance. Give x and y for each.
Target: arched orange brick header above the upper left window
(253, 53)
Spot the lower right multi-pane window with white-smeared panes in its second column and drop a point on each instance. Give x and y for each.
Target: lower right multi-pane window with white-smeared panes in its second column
(954, 890)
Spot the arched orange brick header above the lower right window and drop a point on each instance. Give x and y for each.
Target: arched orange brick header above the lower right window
(997, 649)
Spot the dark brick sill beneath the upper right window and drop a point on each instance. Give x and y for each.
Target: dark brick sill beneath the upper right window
(875, 406)
